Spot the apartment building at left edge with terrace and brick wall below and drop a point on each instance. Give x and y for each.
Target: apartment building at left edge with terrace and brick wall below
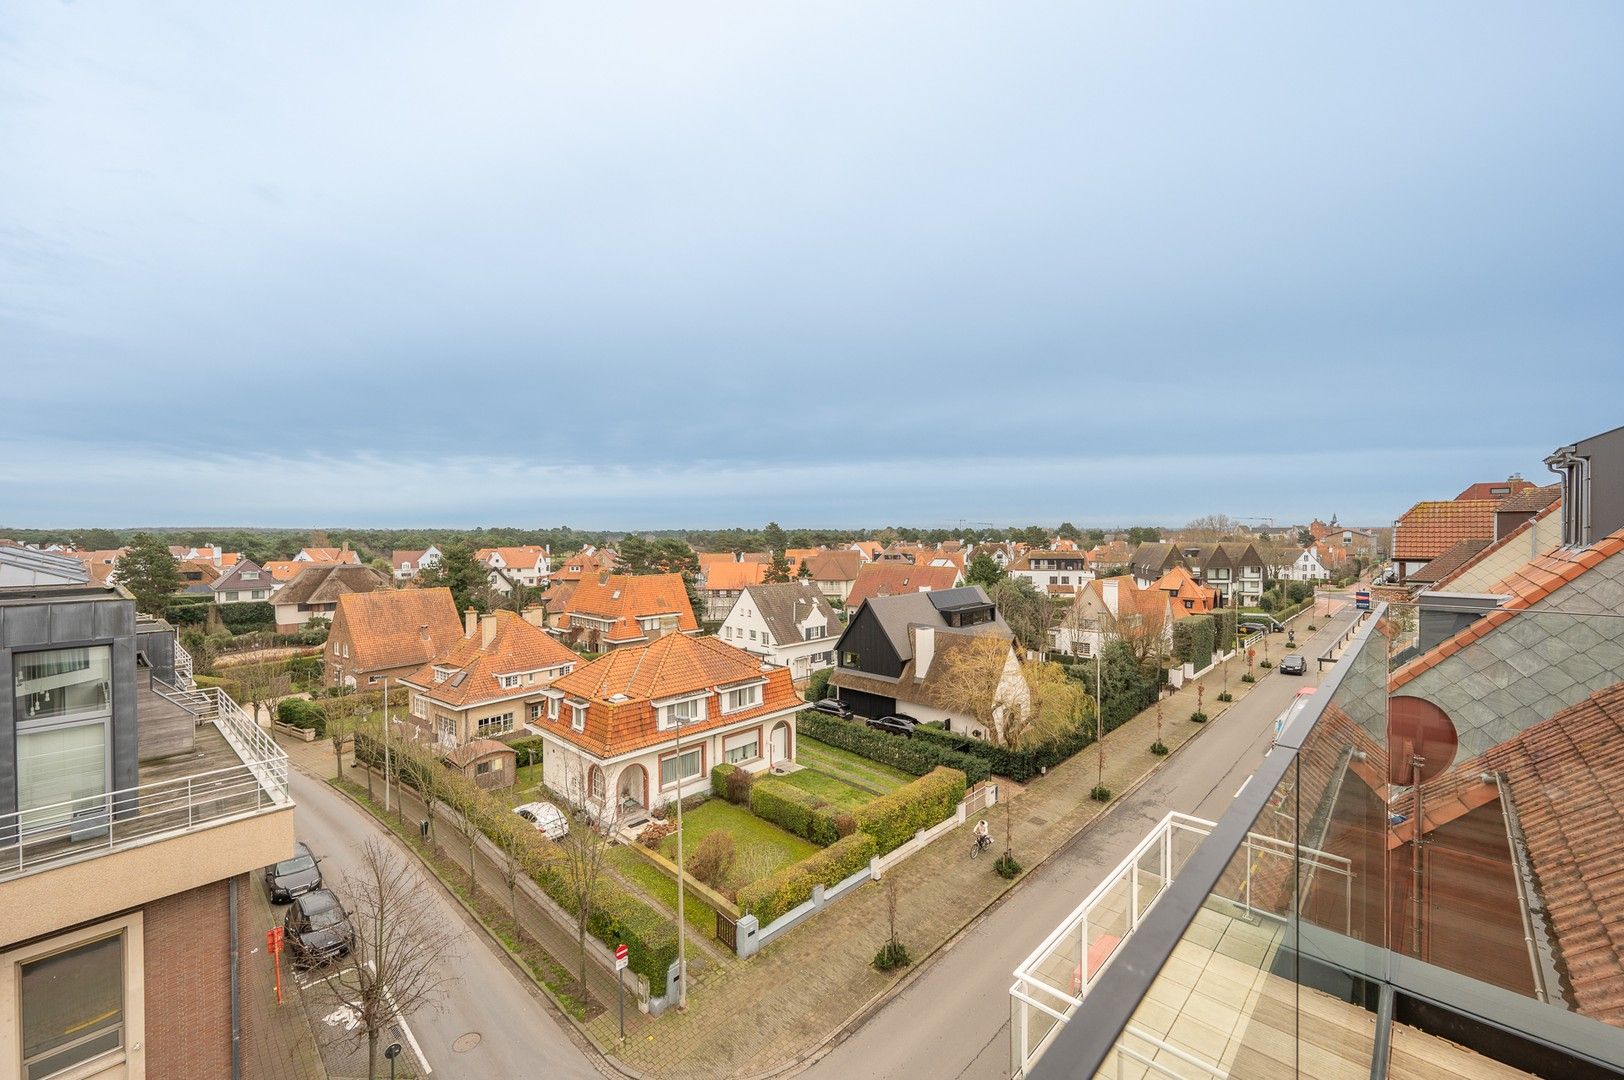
(132, 832)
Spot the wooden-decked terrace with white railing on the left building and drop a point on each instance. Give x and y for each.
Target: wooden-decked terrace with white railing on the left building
(212, 801)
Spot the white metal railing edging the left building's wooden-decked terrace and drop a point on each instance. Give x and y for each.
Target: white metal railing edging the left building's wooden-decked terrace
(121, 819)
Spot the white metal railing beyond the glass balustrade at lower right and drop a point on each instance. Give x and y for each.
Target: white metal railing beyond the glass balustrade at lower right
(1053, 982)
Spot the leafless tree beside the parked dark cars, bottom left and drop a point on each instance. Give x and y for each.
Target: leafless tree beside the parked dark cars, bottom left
(402, 954)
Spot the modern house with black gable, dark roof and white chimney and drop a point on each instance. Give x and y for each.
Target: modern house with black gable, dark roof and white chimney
(897, 650)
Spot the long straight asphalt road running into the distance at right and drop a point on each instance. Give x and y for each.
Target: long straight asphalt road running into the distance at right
(954, 1022)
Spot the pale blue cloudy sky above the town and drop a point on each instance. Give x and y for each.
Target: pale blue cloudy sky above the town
(827, 264)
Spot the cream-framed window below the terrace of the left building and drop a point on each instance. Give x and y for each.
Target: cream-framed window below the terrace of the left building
(72, 1006)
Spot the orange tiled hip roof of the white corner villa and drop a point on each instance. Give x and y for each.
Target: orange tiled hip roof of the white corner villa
(672, 667)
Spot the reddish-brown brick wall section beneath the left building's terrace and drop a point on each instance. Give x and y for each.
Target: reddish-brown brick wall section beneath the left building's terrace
(188, 991)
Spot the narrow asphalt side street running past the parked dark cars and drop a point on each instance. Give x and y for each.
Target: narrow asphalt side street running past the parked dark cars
(517, 1034)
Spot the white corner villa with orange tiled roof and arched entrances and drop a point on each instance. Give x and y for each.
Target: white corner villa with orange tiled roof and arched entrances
(646, 725)
